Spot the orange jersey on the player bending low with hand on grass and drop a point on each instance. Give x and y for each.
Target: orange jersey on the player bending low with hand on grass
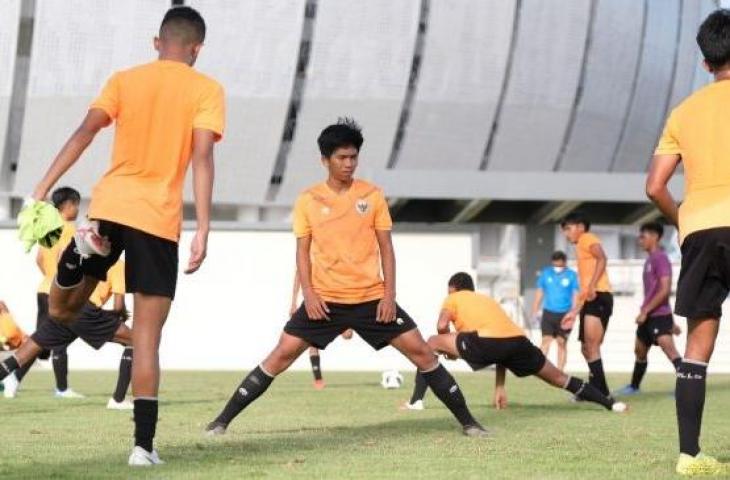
(474, 312)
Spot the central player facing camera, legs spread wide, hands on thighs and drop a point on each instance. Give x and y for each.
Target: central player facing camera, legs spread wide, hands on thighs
(344, 243)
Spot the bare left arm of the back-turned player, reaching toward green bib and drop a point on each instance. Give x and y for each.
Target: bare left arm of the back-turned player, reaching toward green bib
(95, 120)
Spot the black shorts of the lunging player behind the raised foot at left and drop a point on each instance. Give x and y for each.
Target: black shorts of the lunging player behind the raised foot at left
(94, 326)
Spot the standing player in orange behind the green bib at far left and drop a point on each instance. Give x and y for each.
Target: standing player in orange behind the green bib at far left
(66, 200)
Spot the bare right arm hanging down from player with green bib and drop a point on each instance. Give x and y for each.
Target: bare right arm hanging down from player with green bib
(203, 167)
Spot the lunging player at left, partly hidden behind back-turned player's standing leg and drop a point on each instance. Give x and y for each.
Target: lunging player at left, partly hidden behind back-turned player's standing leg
(94, 325)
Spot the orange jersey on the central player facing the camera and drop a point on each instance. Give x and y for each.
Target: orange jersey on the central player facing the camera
(345, 254)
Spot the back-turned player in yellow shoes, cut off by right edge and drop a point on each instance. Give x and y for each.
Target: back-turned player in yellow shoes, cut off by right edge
(697, 133)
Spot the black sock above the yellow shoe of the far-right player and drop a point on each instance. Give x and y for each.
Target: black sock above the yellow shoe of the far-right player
(690, 399)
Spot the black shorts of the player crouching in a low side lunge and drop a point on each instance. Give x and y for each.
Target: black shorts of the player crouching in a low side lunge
(517, 354)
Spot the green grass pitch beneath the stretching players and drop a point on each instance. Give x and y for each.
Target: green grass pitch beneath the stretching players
(352, 429)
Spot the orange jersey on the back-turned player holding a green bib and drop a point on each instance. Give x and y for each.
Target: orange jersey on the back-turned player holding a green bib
(155, 107)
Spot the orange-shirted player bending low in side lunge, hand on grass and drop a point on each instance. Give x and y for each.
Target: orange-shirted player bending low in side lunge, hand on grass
(486, 336)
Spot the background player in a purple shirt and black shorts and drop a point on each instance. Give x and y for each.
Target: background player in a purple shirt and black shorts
(655, 323)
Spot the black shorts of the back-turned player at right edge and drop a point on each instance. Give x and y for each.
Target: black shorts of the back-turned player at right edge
(704, 279)
